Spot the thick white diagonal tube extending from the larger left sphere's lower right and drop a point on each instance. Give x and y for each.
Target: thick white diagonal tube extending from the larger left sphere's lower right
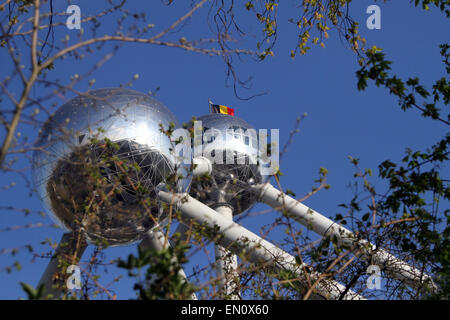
(238, 239)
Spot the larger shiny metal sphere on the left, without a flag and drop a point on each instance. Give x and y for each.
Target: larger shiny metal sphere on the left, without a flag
(99, 159)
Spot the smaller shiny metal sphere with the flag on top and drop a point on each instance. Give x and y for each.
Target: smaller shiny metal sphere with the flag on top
(231, 144)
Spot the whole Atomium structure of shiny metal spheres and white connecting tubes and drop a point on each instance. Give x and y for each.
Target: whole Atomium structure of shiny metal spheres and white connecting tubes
(101, 162)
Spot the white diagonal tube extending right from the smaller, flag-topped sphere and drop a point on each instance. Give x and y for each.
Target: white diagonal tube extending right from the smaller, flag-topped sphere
(320, 224)
